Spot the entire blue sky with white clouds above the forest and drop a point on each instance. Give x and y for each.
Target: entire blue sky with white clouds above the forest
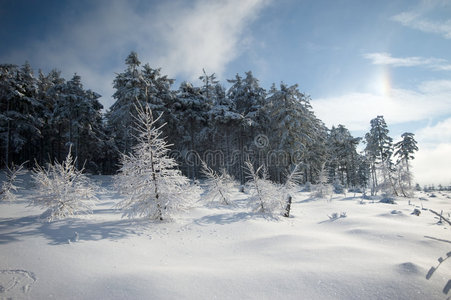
(357, 59)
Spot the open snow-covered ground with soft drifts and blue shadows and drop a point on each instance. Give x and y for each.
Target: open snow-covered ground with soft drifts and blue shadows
(378, 251)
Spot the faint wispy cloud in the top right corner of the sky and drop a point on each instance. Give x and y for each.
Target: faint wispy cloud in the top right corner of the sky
(415, 19)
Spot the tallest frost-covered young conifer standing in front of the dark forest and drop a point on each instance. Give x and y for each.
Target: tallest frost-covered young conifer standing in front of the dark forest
(148, 178)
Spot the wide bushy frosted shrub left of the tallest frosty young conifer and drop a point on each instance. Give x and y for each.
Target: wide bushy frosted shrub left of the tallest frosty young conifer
(63, 190)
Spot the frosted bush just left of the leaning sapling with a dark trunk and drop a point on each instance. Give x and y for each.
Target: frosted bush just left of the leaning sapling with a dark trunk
(265, 193)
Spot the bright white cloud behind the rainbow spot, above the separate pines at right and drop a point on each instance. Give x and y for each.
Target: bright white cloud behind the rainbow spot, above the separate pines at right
(355, 110)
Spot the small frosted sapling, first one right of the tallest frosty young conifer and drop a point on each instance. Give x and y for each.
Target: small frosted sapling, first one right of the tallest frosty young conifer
(218, 185)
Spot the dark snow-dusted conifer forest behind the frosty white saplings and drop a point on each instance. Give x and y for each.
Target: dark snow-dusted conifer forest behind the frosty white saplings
(42, 116)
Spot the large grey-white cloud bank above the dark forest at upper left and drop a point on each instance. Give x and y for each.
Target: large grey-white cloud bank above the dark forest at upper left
(180, 37)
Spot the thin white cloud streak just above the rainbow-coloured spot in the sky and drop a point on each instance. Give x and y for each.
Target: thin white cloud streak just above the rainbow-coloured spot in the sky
(384, 58)
